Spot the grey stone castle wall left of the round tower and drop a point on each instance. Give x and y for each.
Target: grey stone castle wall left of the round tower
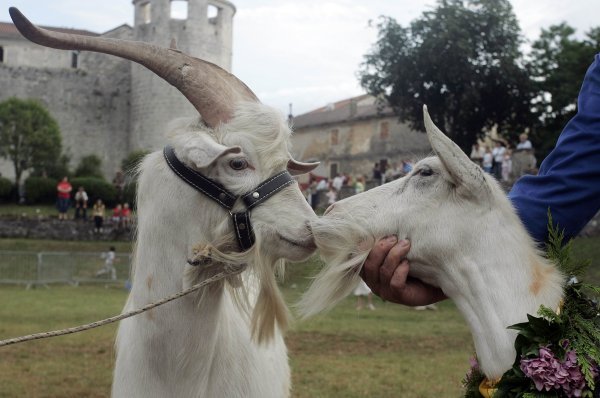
(91, 107)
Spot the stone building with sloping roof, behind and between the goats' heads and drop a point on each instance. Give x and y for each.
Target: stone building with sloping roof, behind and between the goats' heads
(351, 135)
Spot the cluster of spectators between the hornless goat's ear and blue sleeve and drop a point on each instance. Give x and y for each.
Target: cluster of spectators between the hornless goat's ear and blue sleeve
(498, 161)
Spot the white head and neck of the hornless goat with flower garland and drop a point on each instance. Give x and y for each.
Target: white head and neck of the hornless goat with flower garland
(465, 238)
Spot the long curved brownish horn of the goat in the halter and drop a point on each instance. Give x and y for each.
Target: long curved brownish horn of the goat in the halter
(211, 90)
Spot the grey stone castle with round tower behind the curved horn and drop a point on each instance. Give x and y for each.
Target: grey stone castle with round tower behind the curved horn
(105, 105)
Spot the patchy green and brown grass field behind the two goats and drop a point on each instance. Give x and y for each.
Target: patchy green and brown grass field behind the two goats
(393, 351)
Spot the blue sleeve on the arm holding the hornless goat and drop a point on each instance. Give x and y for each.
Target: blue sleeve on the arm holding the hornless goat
(568, 181)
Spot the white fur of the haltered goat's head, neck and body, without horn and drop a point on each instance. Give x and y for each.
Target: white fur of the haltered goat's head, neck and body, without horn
(203, 345)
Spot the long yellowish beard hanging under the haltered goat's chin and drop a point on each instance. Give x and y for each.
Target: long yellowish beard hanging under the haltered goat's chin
(269, 310)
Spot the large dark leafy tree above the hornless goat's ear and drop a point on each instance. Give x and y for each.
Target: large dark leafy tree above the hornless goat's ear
(462, 60)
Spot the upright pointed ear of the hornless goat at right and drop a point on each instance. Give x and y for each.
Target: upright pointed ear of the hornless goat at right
(465, 173)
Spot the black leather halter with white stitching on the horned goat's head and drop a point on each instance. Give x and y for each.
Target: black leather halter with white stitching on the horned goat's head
(217, 192)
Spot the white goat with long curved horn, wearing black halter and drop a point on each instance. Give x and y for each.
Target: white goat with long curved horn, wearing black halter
(220, 197)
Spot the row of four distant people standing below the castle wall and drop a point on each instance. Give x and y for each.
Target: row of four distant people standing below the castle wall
(120, 217)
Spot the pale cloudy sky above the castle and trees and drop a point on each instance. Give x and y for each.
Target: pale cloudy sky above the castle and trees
(303, 52)
